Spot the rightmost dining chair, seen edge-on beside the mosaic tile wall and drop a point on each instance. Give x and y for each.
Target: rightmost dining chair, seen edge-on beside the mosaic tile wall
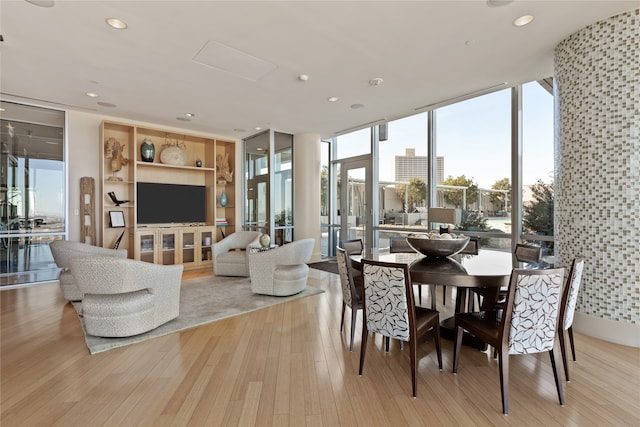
(567, 310)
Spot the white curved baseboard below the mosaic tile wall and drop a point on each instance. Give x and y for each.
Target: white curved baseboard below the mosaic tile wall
(607, 330)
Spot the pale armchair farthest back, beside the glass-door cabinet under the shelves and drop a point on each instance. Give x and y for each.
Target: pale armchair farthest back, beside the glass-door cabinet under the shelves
(230, 253)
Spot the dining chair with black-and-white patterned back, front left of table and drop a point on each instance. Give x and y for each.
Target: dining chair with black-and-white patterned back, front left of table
(390, 310)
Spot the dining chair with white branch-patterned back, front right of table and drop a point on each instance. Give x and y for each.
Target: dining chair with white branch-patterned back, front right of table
(528, 323)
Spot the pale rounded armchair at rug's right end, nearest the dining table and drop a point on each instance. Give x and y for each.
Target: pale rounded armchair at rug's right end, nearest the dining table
(283, 270)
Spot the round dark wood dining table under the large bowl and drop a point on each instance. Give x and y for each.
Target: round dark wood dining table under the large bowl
(489, 270)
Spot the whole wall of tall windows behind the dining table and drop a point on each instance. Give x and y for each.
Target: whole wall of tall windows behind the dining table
(472, 166)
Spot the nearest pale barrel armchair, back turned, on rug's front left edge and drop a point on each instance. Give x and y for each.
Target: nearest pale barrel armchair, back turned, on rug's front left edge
(123, 297)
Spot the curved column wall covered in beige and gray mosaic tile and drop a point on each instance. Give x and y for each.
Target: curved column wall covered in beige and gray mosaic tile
(597, 183)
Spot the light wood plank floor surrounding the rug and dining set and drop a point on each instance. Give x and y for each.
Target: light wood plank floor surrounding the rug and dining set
(285, 365)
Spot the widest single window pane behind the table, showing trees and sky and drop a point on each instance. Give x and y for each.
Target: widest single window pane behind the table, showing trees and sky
(473, 140)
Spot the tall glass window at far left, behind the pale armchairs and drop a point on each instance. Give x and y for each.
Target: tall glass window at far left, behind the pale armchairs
(32, 191)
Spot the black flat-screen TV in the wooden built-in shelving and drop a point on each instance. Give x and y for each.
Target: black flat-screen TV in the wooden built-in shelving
(170, 203)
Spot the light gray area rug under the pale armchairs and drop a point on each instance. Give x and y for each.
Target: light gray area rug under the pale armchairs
(202, 300)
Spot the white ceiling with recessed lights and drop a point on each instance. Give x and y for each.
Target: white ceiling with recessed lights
(427, 53)
